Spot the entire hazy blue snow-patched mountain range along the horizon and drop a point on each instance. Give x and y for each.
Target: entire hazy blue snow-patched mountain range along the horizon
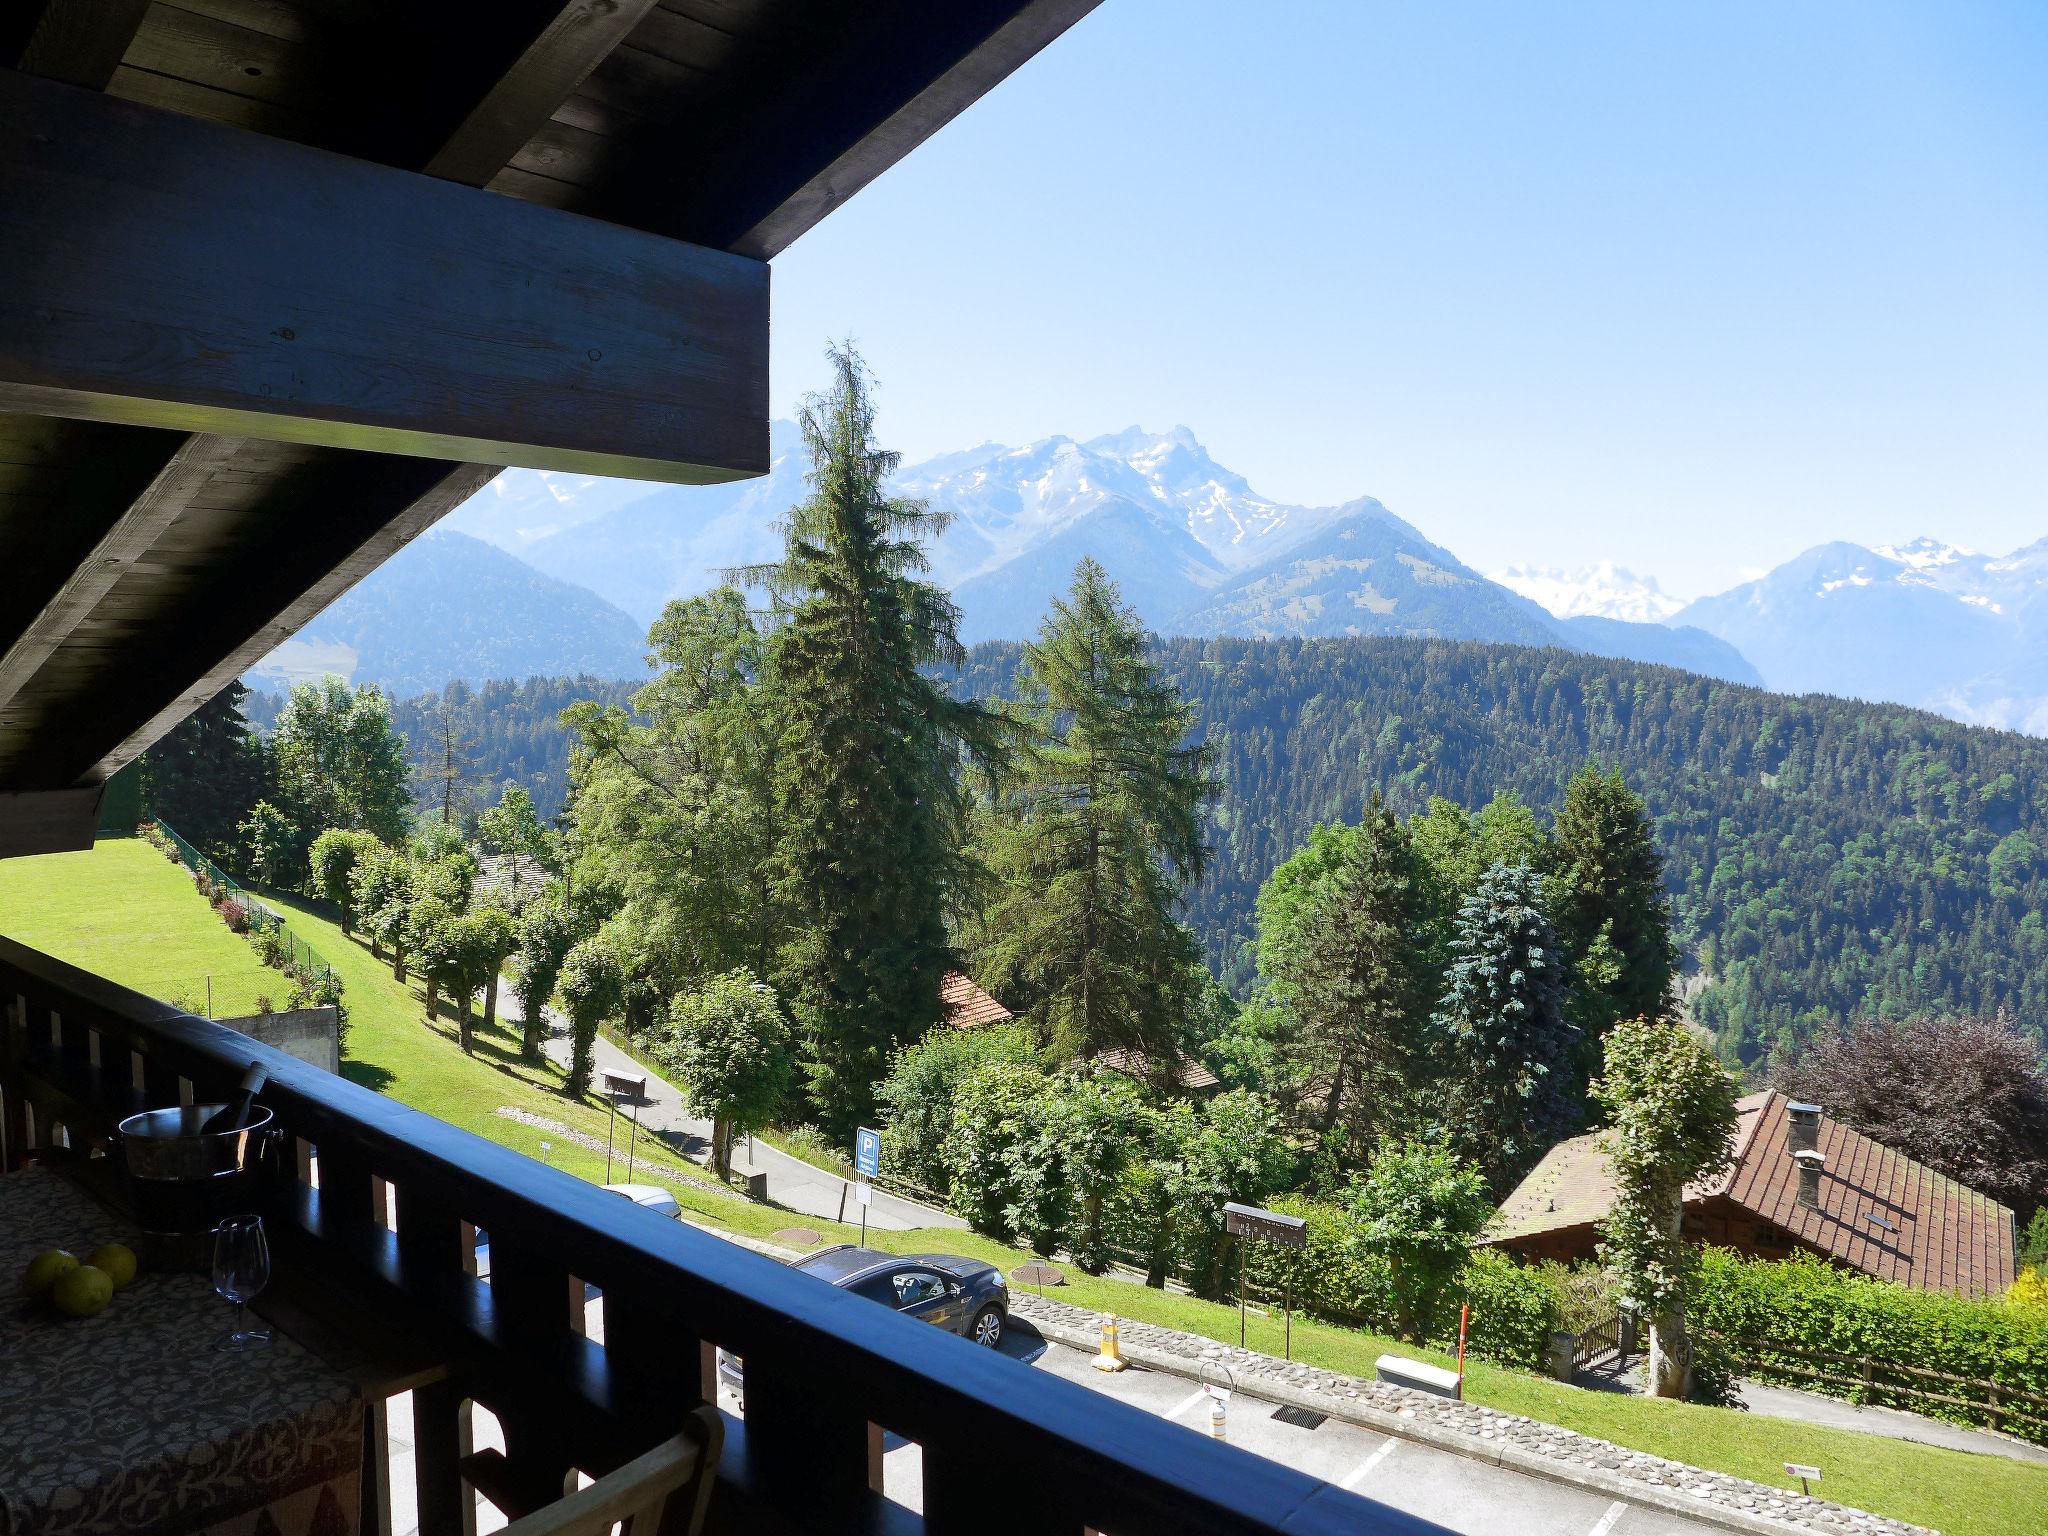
(560, 574)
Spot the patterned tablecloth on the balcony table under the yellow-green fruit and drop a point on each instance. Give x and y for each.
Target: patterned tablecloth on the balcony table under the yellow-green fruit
(134, 1422)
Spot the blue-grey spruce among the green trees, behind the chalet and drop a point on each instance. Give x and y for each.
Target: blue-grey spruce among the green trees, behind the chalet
(1500, 1031)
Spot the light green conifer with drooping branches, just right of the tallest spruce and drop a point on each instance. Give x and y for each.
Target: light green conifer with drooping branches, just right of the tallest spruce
(1095, 837)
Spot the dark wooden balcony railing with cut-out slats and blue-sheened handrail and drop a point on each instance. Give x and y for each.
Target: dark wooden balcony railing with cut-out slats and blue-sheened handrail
(388, 1224)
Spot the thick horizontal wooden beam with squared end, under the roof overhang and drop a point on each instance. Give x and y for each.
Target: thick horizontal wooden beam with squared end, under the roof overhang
(163, 271)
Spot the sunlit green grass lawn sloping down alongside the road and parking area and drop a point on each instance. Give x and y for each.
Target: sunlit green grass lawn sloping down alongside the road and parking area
(132, 916)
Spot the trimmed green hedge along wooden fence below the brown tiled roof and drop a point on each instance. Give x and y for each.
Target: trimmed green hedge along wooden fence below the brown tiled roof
(1766, 1310)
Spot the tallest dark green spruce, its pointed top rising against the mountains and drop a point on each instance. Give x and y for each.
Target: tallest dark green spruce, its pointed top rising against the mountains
(867, 804)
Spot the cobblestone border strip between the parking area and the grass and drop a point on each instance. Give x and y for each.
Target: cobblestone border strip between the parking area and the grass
(1478, 1433)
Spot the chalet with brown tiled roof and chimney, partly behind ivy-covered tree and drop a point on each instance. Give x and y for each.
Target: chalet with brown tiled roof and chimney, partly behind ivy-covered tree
(1801, 1183)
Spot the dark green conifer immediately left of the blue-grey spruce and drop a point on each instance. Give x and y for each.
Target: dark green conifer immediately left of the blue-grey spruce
(1361, 986)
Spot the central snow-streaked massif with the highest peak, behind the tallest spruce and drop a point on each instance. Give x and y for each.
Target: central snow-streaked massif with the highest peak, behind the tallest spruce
(1193, 546)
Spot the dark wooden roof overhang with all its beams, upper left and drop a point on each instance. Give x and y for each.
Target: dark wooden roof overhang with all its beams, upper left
(175, 499)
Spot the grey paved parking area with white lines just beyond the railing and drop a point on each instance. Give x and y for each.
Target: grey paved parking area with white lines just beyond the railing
(1453, 1492)
